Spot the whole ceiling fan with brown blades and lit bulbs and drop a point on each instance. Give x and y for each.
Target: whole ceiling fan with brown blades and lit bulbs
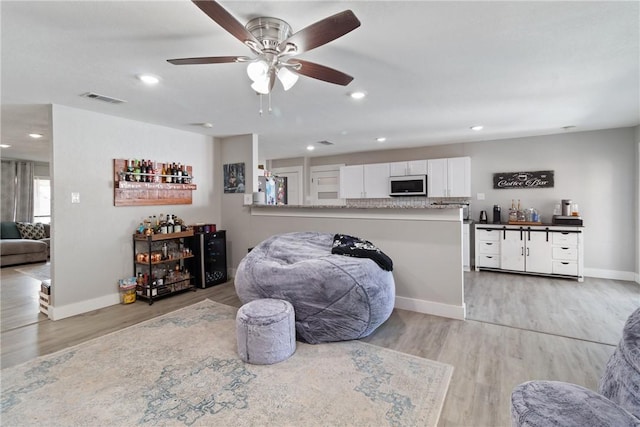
(275, 47)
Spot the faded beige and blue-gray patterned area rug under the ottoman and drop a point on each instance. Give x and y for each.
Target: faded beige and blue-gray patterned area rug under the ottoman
(182, 369)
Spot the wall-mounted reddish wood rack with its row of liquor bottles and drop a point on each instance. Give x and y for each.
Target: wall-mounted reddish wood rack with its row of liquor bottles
(150, 183)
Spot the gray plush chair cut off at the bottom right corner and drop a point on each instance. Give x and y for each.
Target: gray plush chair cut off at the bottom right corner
(554, 403)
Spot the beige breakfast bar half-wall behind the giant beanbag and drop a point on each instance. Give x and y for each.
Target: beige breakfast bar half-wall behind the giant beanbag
(425, 244)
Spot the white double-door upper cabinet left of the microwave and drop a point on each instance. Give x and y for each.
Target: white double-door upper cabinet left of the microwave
(364, 181)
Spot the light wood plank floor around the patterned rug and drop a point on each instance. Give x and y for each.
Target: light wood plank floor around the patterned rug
(497, 348)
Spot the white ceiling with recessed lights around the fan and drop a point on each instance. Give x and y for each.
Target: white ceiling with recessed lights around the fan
(431, 71)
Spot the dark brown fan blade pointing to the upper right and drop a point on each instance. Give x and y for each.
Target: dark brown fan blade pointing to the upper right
(322, 32)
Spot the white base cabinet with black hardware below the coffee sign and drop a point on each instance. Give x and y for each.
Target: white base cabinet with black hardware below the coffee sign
(545, 250)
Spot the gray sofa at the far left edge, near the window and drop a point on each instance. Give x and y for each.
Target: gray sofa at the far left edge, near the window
(16, 250)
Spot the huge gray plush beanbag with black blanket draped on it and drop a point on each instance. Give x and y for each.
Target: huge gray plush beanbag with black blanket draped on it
(335, 297)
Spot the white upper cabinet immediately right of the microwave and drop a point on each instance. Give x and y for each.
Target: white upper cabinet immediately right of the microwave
(449, 177)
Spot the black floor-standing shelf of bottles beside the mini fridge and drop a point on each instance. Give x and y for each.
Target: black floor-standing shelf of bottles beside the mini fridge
(159, 264)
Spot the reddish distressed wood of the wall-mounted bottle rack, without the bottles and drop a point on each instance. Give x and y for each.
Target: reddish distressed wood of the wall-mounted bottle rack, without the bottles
(131, 193)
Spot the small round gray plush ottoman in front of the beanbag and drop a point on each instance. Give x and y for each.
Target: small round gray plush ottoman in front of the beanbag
(266, 332)
